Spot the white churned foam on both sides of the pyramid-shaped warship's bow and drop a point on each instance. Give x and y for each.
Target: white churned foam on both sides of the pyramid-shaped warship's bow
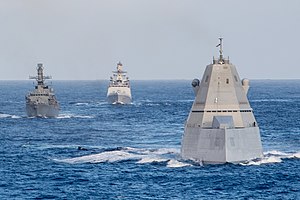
(168, 155)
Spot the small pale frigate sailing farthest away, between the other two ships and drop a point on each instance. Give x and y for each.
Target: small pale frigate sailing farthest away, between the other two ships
(119, 87)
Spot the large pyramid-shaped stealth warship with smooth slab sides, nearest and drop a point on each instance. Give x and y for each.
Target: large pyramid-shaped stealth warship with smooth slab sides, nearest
(221, 127)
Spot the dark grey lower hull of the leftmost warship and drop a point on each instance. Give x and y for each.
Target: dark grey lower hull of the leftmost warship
(42, 110)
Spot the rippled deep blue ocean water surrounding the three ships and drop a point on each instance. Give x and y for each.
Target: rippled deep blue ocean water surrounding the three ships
(132, 151)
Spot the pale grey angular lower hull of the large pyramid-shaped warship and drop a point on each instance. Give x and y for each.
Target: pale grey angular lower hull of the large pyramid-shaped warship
(218, 146)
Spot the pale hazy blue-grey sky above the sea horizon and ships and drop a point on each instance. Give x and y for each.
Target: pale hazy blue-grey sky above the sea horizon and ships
(154, 39)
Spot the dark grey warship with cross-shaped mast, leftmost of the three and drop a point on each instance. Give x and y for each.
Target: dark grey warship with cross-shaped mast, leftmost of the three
(41, 102)
